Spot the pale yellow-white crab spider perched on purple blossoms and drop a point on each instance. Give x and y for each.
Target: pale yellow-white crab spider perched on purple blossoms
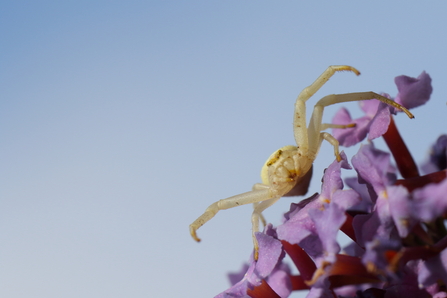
(286, 169)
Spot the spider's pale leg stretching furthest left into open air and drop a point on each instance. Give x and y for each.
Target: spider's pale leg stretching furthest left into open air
(234, 201)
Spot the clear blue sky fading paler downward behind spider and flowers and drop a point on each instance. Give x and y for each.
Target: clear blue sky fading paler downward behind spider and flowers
(121, 121)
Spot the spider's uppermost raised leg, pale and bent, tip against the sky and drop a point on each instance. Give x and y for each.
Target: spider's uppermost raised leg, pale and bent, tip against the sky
(299, 121)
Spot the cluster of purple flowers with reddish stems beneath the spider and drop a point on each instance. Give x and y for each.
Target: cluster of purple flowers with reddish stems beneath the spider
(397, 226)
